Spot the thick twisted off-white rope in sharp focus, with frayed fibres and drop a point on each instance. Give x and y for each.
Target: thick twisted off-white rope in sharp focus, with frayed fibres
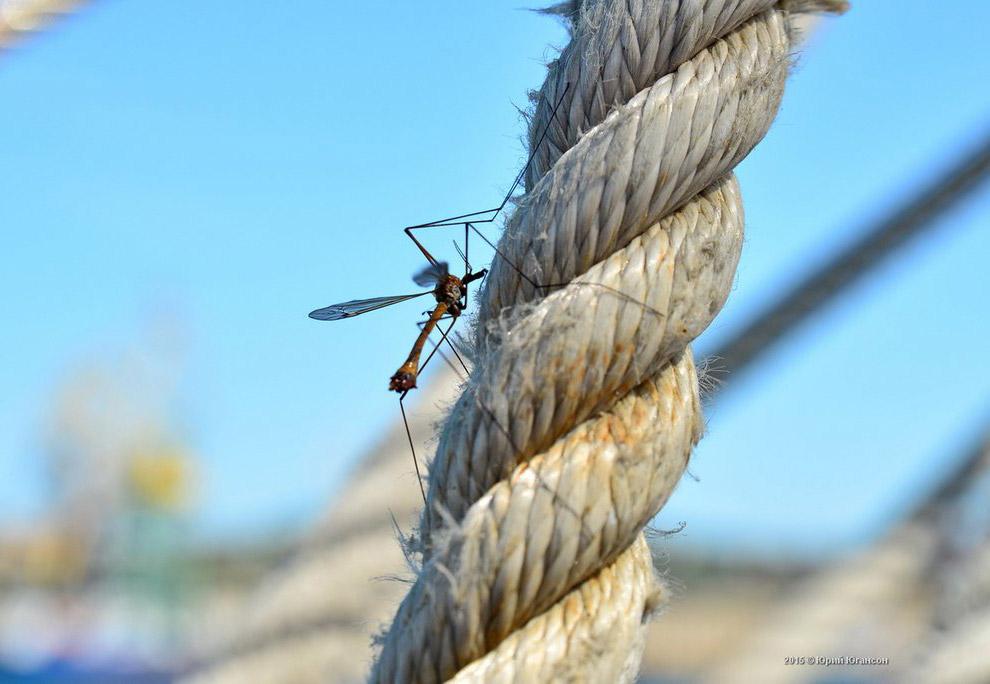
(582, 410)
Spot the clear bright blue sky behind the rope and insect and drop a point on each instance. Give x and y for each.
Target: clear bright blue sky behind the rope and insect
(237, 166)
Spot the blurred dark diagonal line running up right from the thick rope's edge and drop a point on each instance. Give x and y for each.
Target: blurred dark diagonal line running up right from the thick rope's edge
(827, 281)
